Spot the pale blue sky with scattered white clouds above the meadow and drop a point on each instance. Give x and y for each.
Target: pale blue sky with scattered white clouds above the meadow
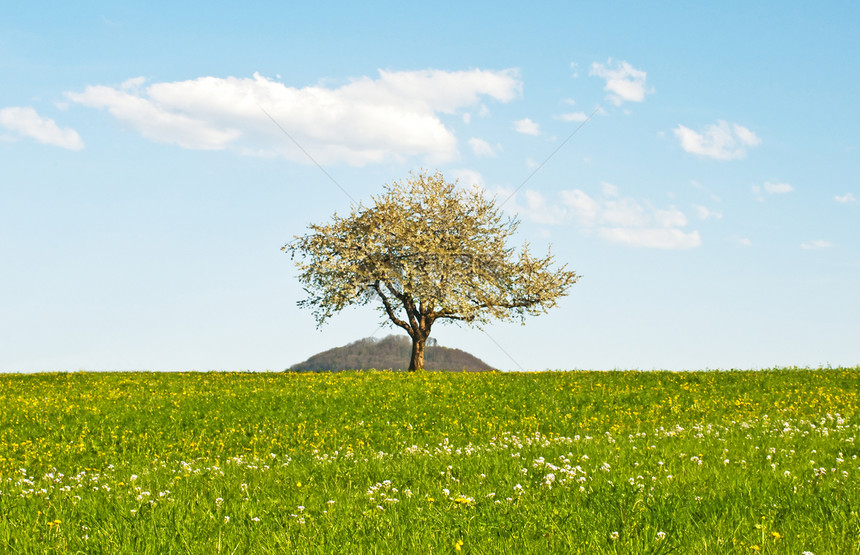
(710, 203)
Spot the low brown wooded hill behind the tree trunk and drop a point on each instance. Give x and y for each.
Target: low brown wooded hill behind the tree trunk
(390, 353)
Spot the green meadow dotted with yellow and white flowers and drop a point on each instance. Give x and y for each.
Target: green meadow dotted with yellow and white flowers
(381, 462)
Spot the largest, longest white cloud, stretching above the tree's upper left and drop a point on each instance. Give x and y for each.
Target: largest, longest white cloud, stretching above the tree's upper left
(364, 121)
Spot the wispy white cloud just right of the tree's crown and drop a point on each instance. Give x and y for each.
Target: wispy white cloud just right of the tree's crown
(614, 218)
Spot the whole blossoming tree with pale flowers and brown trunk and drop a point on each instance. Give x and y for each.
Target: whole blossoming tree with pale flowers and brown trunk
(425, 250)
